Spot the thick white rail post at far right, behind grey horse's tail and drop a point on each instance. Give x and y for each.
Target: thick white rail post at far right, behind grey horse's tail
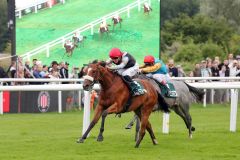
(233, 112)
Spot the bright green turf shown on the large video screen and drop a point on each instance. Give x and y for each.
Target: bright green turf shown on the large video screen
(139, 34)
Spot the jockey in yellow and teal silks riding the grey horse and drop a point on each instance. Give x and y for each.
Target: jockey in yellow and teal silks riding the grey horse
(157, 69)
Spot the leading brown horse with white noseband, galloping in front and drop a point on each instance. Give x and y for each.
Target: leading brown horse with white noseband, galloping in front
(115, 98)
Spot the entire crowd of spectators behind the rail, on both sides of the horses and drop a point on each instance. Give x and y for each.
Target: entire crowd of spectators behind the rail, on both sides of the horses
(208, 67)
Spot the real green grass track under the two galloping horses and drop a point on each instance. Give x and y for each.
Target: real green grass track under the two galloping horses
(52, 136)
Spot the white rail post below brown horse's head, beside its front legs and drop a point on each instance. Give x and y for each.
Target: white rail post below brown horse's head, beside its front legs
(86, 112)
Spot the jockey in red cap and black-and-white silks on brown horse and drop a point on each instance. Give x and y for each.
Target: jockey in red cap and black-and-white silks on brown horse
(126, 66)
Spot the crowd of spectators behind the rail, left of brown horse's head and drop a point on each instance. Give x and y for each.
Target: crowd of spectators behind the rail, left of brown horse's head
(37, 69)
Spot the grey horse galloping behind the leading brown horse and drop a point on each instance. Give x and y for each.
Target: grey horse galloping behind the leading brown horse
(186, 95)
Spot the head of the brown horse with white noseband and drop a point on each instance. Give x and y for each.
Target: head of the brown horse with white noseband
(94, 73)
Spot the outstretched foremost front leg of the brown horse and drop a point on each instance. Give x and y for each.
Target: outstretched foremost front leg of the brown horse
(98, 112)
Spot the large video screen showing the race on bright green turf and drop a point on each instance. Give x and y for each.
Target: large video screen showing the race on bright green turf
(44, 26)
